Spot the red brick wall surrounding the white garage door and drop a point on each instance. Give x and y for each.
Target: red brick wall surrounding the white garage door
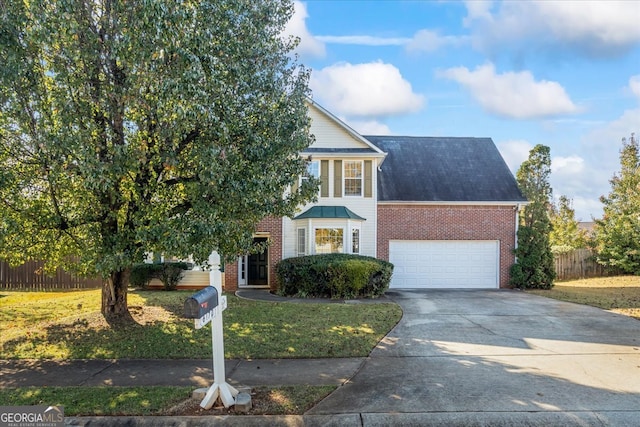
(449, 222)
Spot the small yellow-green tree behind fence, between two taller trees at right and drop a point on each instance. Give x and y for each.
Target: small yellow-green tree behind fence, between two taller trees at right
(565, 235)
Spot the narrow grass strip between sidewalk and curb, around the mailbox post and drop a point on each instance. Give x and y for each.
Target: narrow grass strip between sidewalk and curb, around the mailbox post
(141, 401)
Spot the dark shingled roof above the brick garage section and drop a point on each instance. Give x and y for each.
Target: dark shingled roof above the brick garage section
(437, 169)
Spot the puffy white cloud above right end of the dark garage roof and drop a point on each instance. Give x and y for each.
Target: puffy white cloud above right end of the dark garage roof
(513, 94)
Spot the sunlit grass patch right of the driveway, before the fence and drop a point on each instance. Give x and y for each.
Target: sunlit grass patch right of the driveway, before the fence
(620, 294)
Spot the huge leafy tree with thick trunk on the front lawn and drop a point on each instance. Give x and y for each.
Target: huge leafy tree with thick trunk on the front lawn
(128, 127)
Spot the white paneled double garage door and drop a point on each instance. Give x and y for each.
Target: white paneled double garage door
(444, 264)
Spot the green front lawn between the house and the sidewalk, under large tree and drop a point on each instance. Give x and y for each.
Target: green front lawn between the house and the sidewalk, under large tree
(68, 325)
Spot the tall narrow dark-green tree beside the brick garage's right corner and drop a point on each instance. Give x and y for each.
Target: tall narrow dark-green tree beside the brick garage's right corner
(534, 266)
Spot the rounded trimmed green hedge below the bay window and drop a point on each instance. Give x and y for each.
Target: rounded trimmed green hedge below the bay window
(342, 276)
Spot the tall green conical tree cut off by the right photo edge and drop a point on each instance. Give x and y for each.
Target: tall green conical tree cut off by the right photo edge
(618, 232)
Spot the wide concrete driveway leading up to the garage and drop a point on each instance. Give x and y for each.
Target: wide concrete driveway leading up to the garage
(497, 358)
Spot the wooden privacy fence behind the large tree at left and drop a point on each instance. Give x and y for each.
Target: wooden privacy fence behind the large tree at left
(30, 276)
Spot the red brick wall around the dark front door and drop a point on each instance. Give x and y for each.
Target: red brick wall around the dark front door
(271, 226)
